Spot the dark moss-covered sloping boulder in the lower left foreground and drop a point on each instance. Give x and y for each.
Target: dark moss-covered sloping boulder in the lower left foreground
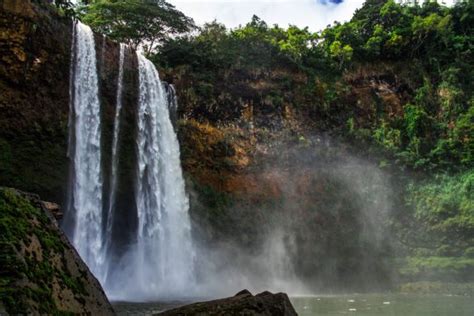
(40, 272)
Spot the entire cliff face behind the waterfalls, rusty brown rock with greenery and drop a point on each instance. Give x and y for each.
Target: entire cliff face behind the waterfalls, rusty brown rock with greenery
(327, 159)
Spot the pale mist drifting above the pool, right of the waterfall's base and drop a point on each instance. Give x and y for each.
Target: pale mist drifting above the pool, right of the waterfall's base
(323, 229)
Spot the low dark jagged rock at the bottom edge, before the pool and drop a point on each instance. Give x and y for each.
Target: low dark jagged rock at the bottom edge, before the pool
(243, 303)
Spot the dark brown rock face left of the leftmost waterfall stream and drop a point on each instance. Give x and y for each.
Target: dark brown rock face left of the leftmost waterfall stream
(34, 96)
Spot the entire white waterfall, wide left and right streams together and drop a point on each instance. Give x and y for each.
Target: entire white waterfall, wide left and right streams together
(158, 261)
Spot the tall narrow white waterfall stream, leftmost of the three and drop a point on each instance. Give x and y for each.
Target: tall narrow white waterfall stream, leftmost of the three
(85, 191)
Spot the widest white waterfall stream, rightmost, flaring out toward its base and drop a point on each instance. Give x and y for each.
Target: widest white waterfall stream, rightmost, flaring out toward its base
(164, 251)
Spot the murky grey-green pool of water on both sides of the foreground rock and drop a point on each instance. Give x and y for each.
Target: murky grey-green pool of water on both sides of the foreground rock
(357, 305)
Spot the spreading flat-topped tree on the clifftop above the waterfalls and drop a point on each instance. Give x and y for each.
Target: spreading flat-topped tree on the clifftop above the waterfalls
(139, 23)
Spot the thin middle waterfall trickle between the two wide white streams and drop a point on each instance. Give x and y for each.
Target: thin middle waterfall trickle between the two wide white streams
(113, 173)
